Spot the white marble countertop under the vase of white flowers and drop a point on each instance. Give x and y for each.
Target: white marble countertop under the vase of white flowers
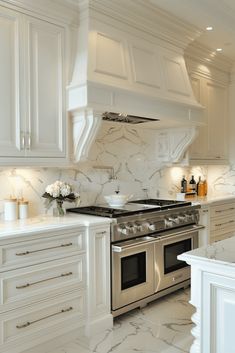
(47, 223)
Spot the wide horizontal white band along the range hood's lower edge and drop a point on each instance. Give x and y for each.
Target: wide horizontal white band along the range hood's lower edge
(102, 98)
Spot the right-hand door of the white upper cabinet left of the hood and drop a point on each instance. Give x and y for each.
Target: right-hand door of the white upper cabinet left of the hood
(46, 130)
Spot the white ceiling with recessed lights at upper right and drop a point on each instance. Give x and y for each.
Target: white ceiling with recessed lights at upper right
(220, 14)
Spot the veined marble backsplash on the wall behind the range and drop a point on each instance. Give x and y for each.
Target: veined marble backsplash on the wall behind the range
(132, 155)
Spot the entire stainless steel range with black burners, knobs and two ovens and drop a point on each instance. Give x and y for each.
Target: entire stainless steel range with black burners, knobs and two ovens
(146, 238)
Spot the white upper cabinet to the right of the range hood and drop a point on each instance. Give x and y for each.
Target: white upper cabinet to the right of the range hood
(211, 144)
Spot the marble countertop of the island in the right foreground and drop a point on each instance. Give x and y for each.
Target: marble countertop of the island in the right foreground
(221, 252)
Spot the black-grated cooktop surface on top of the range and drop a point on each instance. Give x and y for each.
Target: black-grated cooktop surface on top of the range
(131, 208)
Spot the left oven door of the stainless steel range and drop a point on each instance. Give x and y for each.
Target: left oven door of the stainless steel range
(132, 271)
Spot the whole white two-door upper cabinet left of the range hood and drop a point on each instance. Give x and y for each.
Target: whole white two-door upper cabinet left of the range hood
(32, 100)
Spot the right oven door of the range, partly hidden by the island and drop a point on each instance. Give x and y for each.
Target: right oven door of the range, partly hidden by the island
(169, 270)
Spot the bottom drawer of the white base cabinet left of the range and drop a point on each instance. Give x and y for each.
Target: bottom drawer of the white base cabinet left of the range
(23, 325)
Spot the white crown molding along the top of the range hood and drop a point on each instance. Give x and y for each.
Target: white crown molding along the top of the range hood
(143, 16)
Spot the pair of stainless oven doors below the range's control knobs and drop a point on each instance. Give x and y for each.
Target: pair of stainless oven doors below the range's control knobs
(147, 267)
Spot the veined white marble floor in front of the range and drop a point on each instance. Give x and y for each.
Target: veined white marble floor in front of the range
(163, 326)
